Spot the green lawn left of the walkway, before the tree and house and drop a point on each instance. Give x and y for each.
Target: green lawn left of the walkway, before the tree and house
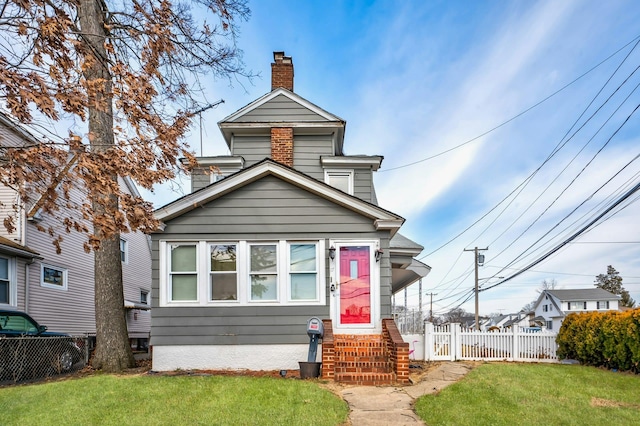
(177, 400)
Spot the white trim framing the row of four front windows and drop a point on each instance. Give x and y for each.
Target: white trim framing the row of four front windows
(243, 266)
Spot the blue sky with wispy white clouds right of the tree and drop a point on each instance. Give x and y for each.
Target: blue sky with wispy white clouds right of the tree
(414, 79)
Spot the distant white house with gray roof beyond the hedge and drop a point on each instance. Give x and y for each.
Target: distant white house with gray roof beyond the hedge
(554, 305)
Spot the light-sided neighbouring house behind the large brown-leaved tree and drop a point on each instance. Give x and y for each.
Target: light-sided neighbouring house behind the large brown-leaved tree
(58, 289)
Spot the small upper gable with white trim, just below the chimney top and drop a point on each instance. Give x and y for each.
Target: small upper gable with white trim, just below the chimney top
(244, 121)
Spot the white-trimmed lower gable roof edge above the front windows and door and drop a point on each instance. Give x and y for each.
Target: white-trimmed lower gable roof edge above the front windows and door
(383, 219)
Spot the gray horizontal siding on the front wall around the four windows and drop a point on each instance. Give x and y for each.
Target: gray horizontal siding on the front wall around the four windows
(269, 208)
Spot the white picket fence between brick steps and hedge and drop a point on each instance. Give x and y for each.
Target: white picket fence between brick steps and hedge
(451, 342)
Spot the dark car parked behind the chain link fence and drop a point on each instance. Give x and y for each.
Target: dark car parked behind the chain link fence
(29, 351)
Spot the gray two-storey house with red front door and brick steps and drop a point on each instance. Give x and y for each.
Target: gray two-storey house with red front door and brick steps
(286, 228)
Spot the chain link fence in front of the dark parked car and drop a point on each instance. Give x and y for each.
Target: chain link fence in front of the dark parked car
(28, 358)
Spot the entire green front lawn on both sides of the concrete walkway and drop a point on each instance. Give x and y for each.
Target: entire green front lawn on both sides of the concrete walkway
(491, 394)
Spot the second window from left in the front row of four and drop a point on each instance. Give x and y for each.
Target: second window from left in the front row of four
(223, 272)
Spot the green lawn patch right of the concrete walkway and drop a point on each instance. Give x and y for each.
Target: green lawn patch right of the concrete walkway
(535, 394)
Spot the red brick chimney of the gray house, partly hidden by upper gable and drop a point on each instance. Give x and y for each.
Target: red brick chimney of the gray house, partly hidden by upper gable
(282, 137)
